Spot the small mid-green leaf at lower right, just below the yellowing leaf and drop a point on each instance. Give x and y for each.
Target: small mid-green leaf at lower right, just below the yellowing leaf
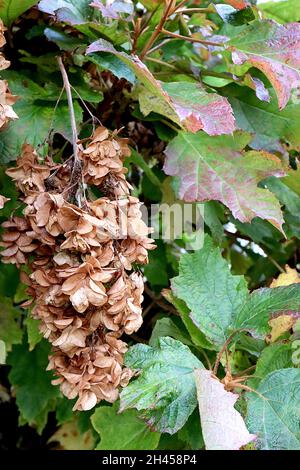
(274, 357)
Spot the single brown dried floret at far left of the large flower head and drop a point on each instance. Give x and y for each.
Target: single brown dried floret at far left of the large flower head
(17, 241)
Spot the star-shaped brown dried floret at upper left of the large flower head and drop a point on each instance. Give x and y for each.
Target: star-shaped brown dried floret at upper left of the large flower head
(29, 174)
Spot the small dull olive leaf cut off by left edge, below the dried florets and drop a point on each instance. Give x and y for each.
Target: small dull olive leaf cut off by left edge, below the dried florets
(10, 329)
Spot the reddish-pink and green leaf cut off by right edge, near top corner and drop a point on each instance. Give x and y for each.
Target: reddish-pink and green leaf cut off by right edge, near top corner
(273, 49)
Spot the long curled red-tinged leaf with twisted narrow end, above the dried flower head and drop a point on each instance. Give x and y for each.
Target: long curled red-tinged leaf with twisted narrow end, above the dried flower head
(185, 103)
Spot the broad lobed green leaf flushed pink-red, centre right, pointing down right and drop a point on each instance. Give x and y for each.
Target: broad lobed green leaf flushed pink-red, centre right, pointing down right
(217, 168)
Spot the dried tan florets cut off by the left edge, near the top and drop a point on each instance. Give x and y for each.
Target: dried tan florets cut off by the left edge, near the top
(6, 98)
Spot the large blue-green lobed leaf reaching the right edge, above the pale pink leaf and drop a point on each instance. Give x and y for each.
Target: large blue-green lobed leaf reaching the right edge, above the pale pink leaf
(220, 303)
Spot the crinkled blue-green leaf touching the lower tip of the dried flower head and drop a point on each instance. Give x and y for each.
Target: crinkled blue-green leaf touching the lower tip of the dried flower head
(165, 389)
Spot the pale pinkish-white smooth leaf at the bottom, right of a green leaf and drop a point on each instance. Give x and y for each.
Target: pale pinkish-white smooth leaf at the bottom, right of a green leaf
(223, 427)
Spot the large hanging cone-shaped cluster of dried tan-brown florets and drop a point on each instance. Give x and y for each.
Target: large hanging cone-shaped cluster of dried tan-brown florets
(80, 251)
